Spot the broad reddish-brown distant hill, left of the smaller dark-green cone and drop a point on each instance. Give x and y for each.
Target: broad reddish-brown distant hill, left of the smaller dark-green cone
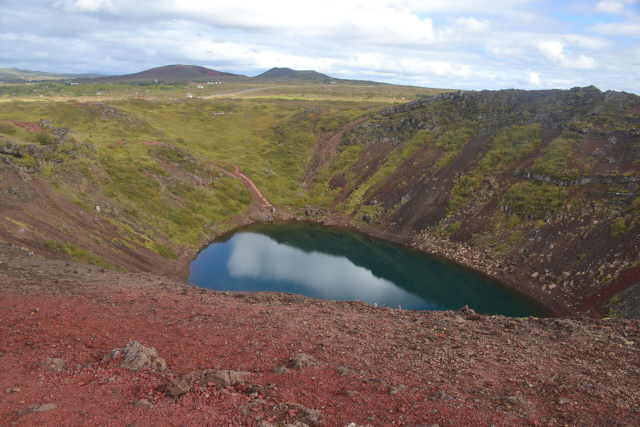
(175, 73)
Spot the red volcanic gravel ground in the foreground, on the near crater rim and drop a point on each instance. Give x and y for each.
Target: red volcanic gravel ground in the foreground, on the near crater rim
(362, 365)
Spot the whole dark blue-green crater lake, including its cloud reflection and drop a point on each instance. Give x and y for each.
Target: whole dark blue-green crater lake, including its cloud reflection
(343, 264)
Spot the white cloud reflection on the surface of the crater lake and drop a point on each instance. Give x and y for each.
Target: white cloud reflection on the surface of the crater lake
(260, 257)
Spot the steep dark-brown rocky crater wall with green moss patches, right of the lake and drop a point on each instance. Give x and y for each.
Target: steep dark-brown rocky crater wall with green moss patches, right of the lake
(538, 188)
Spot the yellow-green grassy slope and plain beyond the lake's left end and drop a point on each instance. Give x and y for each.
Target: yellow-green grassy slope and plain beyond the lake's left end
(155, 168)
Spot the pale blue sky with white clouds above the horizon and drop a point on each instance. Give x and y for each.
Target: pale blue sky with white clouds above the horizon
(466, 44)
